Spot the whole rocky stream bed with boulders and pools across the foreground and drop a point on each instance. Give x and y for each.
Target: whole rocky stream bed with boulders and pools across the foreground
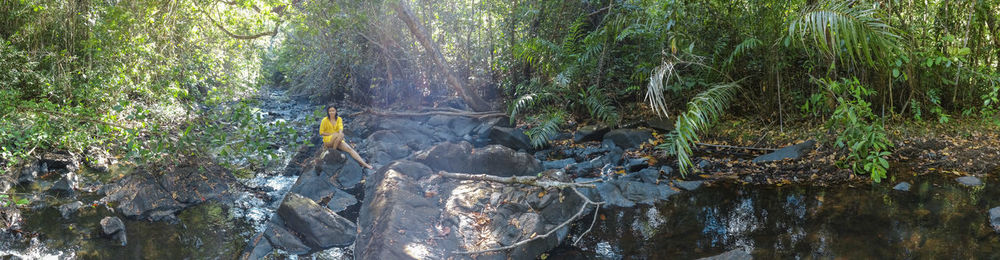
(322, 204)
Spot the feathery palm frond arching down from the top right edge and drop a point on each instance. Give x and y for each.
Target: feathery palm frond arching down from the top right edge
(845, 30)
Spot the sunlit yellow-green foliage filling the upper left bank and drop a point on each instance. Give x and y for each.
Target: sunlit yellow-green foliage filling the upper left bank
(119, 76)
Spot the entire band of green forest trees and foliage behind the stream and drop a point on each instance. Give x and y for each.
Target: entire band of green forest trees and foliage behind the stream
(136, 76)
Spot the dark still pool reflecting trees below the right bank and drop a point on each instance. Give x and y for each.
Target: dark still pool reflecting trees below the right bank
(937, 218)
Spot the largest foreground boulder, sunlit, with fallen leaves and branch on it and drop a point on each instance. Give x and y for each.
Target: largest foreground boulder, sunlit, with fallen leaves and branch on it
(411, 213)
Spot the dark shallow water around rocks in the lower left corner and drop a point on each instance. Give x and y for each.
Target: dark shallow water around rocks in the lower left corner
(204, 232)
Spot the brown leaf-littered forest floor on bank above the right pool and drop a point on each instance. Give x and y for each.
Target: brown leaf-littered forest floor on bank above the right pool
(963, 147)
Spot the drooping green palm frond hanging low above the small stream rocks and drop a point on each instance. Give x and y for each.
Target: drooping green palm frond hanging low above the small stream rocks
(702, 111)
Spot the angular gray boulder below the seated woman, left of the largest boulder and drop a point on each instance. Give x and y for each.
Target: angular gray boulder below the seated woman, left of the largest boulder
(319, 227)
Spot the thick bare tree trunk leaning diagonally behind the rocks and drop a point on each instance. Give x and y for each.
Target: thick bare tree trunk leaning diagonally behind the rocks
(418, 31)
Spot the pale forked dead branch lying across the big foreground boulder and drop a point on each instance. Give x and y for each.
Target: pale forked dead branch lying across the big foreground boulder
(533, 181)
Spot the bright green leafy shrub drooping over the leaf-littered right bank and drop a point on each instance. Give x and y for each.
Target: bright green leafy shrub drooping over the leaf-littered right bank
(858, 129)
